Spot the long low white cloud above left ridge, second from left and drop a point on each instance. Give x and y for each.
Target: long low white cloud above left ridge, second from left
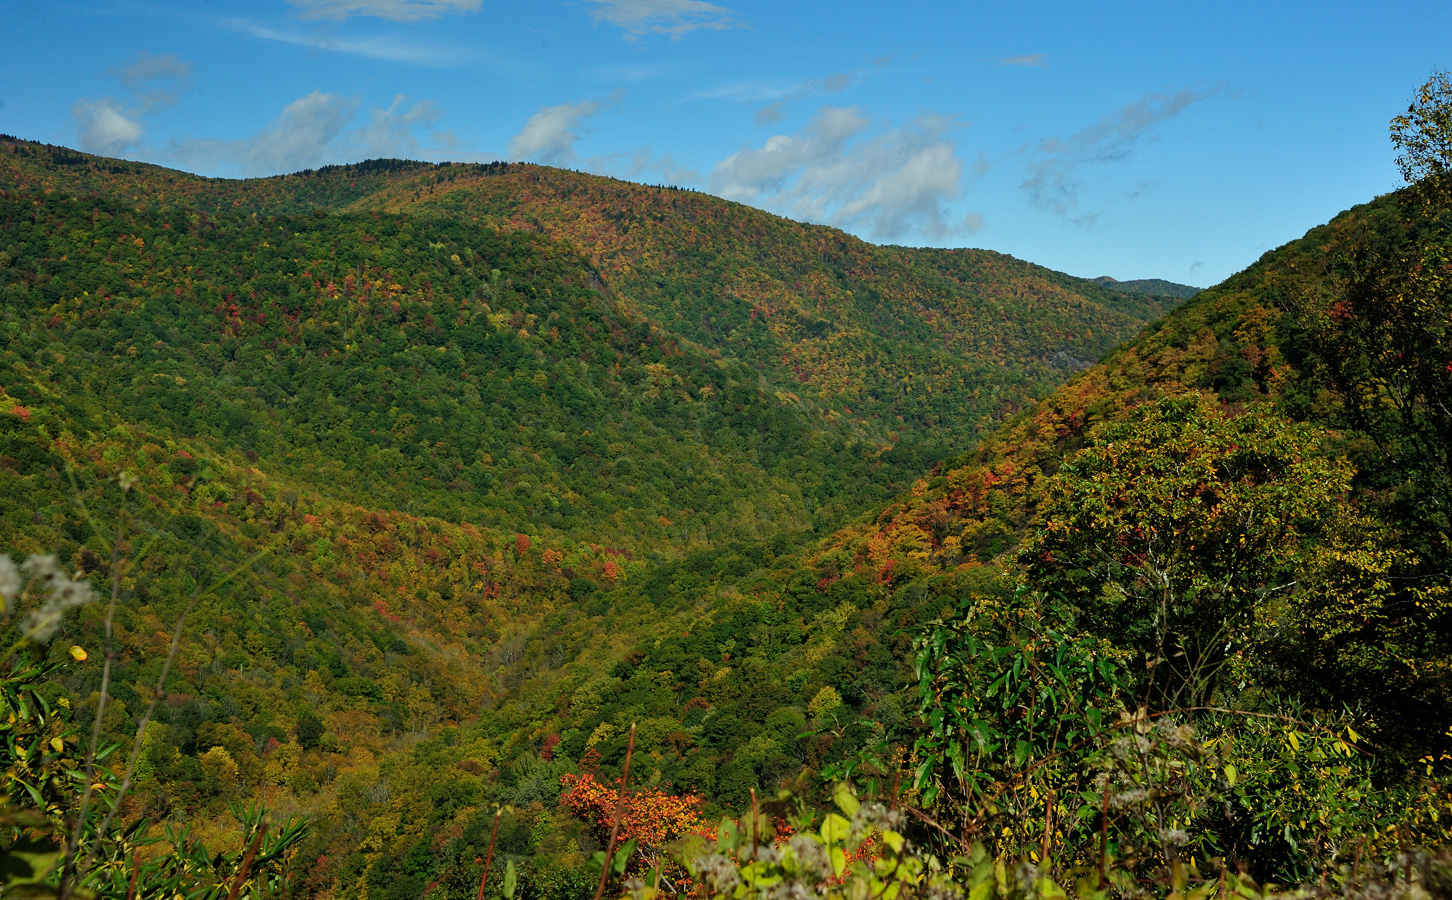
(314, 131)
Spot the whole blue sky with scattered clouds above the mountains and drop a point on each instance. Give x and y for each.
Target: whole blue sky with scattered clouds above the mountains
(1135, 140)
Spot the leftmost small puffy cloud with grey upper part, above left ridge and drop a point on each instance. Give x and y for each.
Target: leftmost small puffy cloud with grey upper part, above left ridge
(115, 127)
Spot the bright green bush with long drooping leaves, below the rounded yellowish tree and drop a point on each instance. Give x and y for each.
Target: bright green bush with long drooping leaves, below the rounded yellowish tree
(1011, 705)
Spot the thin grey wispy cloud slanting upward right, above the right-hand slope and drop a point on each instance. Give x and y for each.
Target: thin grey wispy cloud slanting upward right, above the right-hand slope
(1055, 182)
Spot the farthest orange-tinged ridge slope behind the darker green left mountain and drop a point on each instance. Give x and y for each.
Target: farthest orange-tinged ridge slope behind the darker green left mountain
(931, 339)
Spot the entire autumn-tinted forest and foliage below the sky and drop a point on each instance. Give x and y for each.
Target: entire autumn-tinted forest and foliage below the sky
(426, 503)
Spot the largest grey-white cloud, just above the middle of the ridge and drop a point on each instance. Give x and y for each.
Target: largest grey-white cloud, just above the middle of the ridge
(891, 187)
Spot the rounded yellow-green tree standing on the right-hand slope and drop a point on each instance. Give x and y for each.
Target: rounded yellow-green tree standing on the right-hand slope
(1170, 531)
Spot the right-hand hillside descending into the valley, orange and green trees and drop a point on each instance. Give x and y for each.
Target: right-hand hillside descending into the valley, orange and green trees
(760, 664)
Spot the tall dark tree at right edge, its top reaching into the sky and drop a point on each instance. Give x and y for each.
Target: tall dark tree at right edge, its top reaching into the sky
(1373, 342)
